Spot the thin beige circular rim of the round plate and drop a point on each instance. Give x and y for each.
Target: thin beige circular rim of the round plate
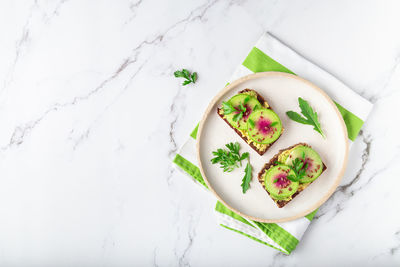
(207, 112)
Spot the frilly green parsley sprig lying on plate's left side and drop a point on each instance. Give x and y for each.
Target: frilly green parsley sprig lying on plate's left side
(229, 159)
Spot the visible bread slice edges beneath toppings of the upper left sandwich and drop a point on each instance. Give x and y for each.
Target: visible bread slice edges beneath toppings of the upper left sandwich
(259, 148)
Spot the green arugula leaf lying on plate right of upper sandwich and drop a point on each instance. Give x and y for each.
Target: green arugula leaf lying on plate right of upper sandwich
(310, 116)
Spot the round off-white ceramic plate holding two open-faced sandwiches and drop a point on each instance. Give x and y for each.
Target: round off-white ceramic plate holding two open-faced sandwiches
(281, 91)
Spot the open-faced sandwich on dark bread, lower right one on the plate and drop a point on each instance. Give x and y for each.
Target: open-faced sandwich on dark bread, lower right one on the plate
(290, 171)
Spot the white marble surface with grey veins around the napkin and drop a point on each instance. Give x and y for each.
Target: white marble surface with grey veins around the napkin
(86, 180)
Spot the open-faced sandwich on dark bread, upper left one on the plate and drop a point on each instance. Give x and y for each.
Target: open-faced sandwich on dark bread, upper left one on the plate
(252, 119)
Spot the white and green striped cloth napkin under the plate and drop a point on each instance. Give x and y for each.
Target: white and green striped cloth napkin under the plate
(269, 54)
